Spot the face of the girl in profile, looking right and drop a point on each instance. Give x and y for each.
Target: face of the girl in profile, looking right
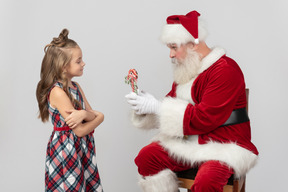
(76, 66)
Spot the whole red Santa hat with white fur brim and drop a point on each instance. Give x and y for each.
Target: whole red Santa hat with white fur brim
(181, 29)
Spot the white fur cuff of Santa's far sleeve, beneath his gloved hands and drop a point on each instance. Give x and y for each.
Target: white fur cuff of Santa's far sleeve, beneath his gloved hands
(146, 122)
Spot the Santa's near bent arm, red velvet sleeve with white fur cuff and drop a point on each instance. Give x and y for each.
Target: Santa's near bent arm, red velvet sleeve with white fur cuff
(179, 118)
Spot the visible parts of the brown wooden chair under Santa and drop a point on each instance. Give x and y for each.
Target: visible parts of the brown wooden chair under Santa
(186, 178)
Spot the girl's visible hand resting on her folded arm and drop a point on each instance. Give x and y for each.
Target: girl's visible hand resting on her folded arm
(75, 118)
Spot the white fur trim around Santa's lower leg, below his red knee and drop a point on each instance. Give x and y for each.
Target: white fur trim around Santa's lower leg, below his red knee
(163, 181)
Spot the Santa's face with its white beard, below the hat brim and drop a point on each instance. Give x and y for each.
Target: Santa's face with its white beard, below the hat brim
(186, 63)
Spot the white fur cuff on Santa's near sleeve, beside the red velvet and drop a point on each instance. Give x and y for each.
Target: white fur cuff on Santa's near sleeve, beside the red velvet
(171, 116)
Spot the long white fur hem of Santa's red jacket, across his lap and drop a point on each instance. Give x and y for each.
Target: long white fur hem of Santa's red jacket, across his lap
(190, 151)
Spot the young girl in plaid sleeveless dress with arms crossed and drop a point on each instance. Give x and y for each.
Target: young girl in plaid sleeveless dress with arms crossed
(71, 159)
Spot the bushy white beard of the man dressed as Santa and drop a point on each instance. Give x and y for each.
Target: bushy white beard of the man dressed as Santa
(186, 69)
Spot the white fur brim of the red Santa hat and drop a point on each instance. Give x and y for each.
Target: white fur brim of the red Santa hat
(176, 33)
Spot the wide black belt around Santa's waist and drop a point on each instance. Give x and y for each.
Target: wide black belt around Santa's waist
(237, 116)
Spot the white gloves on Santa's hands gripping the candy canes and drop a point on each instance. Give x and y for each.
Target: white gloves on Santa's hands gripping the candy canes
(143, 103)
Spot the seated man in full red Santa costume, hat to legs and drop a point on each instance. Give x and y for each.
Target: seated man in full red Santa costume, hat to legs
(196, 120)
